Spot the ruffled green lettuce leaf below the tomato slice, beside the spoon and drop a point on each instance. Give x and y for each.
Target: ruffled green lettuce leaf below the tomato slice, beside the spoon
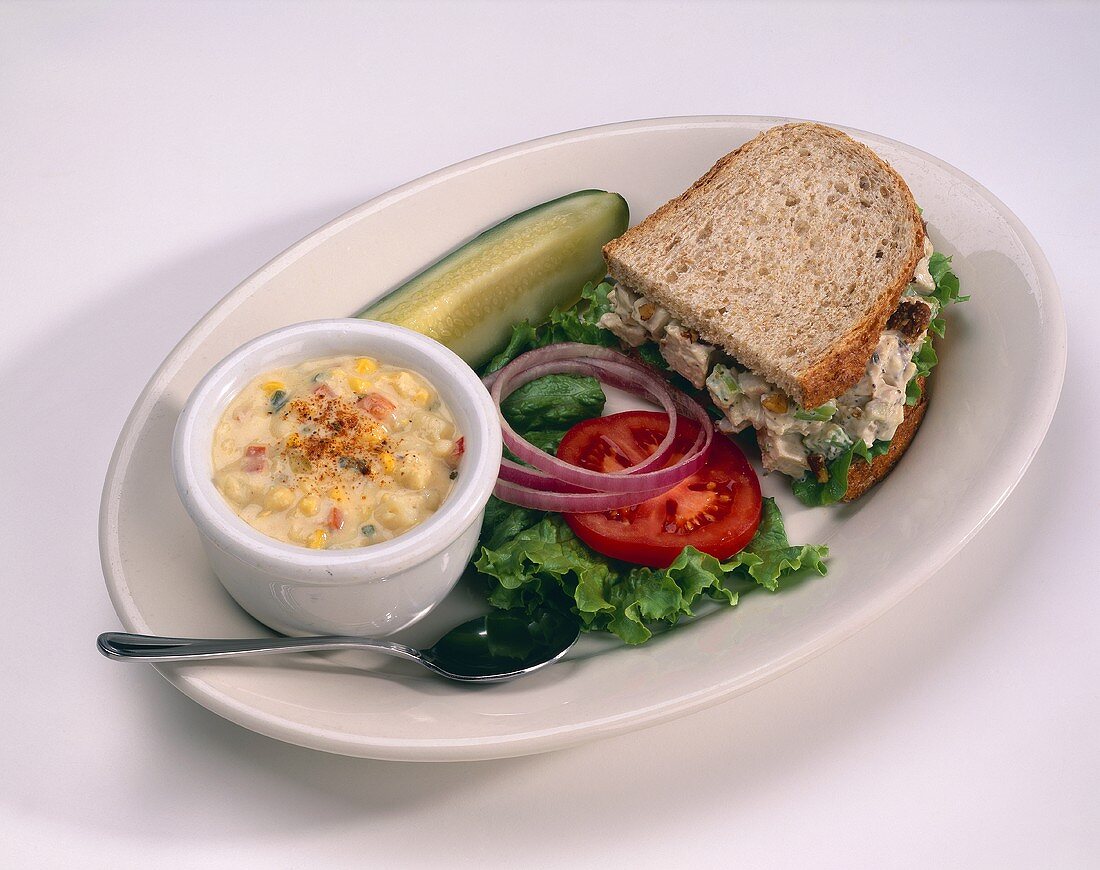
(545, 566)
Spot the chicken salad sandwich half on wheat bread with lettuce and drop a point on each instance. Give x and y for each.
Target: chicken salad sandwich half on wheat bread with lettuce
(796, 283)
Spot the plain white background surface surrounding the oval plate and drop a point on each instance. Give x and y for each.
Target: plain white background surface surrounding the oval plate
(153, 156)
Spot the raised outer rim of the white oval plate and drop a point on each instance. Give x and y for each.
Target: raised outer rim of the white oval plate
(477, 748)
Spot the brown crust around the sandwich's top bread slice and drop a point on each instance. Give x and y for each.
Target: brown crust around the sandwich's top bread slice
(843, 365)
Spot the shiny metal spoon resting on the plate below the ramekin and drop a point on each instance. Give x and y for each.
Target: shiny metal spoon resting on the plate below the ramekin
(492, 648)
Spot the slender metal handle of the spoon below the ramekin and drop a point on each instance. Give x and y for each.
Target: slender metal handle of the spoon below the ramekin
(150, 648)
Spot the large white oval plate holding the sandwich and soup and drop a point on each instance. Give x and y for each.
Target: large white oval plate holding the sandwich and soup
(993, 399)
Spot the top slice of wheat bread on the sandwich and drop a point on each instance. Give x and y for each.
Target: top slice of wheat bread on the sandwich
(790, 255)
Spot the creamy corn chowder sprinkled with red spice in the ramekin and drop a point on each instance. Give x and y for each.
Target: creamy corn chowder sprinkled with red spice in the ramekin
(337, 454)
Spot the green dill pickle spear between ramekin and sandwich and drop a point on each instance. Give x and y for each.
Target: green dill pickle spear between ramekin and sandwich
(521, 269)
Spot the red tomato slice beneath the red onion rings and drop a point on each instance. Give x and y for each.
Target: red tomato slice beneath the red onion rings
(716, 511)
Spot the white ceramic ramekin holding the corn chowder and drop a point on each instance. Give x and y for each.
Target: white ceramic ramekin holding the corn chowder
(369, 591)
